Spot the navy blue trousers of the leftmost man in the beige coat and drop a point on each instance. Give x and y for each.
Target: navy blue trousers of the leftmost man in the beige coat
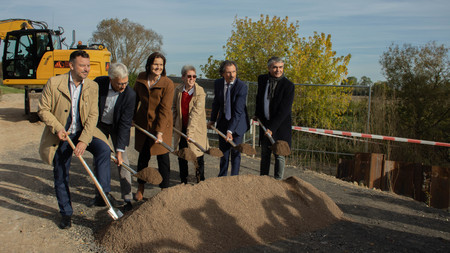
(61, 165)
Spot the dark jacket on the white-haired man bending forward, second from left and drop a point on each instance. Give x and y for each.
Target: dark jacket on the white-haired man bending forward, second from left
(123, 110)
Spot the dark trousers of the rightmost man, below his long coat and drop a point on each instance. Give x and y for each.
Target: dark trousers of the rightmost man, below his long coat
(266, 154)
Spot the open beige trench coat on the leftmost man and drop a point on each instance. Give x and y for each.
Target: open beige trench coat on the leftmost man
(54, 109)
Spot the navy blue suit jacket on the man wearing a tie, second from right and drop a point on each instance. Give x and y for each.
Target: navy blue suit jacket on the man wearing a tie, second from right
(239, 122)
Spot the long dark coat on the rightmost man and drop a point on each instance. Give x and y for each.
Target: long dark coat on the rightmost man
(280, 108)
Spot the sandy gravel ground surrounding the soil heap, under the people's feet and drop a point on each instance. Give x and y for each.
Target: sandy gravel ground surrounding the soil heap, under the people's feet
(376, 221)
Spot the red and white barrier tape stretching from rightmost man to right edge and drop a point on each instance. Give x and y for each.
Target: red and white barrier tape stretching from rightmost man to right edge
(370, 136)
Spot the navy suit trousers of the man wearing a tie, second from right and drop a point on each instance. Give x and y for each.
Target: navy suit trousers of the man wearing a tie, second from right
(227, 150)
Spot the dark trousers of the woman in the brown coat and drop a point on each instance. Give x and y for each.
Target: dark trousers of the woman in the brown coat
(163, 164)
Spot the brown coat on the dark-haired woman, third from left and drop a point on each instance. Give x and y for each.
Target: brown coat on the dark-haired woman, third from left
(153, 112)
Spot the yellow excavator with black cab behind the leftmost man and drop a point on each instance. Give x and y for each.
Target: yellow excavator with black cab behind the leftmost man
(32, 53)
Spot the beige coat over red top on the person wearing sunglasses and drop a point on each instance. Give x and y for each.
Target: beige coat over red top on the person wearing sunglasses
(196, 128)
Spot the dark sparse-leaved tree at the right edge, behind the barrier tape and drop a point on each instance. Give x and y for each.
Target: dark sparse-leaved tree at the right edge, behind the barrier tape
(420, 76)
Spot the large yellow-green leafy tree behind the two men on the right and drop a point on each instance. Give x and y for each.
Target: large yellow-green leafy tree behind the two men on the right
(307, 60)
